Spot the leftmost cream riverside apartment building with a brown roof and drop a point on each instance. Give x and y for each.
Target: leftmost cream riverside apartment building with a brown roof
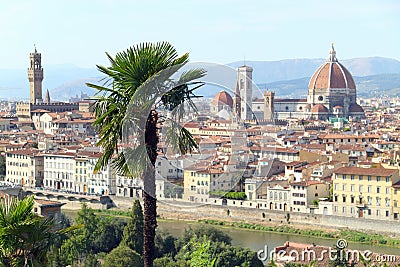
(24, 167)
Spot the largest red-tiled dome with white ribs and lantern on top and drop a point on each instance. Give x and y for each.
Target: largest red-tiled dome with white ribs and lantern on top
(331, 74)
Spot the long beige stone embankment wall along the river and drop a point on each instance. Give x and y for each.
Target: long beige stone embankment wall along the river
(265, 217)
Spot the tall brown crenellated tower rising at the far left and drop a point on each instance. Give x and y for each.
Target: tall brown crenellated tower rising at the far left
(35, 77)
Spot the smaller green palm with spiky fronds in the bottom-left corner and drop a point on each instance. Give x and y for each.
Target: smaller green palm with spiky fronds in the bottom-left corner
(24, 236)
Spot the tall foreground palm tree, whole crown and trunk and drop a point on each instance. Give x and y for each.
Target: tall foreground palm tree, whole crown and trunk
(137, 84)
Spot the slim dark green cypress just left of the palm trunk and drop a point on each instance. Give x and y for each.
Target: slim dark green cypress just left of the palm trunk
(133, 232)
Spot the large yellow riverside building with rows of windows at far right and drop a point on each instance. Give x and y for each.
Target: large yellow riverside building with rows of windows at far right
(365, 192)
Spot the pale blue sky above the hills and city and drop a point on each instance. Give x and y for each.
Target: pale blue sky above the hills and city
(79, 32)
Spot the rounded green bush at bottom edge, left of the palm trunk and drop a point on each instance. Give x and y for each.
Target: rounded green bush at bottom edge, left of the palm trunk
(122, 256)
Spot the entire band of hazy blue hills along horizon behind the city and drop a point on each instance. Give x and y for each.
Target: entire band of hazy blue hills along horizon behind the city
(286, 77)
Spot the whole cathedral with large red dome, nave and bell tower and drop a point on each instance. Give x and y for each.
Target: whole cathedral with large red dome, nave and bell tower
(331, 93)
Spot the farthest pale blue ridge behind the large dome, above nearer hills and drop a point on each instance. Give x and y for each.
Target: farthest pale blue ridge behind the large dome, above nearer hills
(290, 69)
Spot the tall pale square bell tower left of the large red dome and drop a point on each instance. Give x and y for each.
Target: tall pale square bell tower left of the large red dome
(243, 93)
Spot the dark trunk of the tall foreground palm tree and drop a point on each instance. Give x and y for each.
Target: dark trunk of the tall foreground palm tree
(149, 192)
